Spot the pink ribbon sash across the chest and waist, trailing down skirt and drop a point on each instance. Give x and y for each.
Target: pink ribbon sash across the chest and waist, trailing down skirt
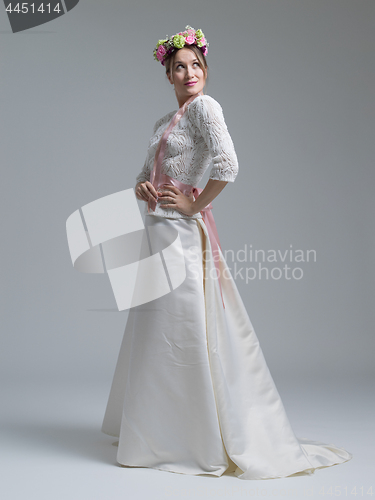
(159, 179)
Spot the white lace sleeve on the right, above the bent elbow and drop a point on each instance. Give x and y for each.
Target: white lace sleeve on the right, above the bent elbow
(207, 115)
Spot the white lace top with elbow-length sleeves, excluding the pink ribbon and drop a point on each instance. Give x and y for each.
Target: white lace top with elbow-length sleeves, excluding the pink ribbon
(201, 136)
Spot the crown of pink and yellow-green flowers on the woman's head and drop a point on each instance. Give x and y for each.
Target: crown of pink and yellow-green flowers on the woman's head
(189, 37)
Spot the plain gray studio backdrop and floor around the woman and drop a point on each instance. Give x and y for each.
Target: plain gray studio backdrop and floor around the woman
(79, 98)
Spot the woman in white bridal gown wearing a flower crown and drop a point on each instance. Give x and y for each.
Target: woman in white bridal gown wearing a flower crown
(192, 392)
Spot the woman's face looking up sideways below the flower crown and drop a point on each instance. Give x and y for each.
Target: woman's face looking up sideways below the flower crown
(186, 74)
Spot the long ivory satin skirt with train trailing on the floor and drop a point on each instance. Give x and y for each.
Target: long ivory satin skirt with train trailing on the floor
(192, 392)
